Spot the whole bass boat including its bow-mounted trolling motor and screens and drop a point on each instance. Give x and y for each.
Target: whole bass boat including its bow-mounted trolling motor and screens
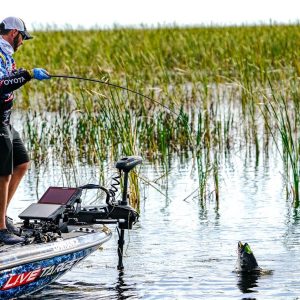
(59, 233)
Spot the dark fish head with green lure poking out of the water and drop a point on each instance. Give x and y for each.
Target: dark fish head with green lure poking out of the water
(246, 261)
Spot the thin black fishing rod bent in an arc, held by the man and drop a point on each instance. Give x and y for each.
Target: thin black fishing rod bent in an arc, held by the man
(115, 86)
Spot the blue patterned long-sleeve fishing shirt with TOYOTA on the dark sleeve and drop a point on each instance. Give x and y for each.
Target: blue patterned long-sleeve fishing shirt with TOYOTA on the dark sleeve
(10, 80)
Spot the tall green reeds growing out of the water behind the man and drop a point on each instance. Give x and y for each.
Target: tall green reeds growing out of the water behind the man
(213, 80)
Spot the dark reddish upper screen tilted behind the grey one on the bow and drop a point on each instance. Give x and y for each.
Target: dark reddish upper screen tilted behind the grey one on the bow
(60, 195)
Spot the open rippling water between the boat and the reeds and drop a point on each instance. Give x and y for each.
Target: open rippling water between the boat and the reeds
(184, 249)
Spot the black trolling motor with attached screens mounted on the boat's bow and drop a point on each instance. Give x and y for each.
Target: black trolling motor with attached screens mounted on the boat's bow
(60, 208)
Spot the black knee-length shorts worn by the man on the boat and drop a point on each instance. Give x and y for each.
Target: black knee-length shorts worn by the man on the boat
(12, 150)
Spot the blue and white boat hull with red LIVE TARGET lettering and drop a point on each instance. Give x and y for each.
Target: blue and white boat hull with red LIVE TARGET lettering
(26, 272)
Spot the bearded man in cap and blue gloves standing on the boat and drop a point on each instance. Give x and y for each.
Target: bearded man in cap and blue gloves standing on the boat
(14, 160)
